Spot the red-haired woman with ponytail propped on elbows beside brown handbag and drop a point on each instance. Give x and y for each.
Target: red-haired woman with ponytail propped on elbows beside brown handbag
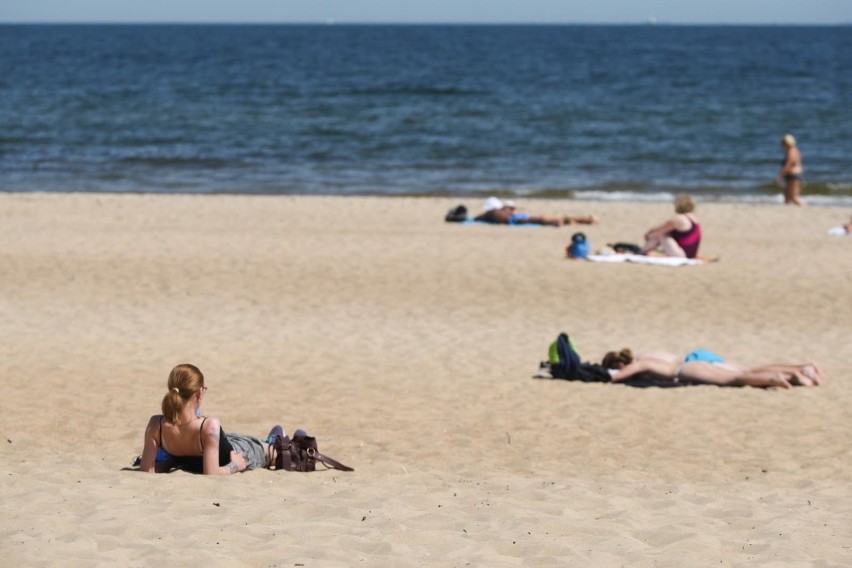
(182, 438)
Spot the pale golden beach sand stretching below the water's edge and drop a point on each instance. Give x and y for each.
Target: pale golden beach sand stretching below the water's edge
(407, 346)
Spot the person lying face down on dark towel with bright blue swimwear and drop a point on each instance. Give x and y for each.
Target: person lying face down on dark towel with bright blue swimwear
(703, 367)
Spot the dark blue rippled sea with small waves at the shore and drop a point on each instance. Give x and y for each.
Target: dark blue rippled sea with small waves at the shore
(584, 112)
